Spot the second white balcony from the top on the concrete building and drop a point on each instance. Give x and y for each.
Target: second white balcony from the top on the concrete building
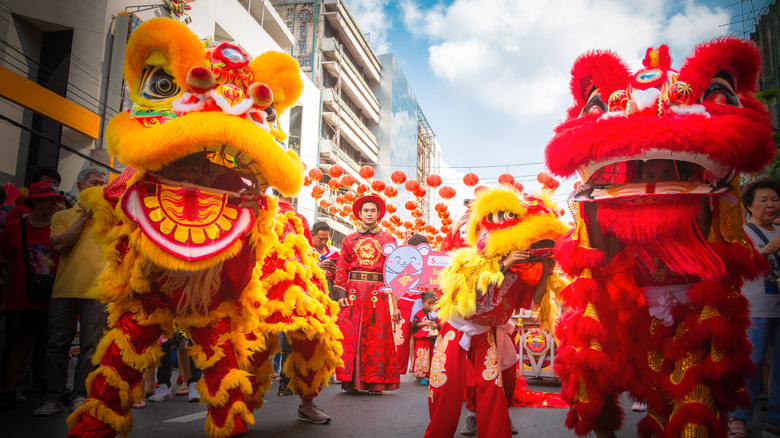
(352, 81)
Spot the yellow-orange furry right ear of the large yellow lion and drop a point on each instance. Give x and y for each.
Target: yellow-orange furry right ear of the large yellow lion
(281, 73)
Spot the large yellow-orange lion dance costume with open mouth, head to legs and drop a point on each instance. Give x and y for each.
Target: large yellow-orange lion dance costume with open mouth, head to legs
(189, 234)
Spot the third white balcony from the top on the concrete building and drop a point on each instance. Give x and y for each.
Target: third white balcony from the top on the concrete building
(336, 113)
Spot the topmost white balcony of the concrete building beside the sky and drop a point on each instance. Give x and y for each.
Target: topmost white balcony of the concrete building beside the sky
(350, 36)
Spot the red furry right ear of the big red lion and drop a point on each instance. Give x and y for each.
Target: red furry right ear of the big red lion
(735, 60)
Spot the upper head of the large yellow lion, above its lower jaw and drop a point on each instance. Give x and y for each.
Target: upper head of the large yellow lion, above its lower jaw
(192, 104)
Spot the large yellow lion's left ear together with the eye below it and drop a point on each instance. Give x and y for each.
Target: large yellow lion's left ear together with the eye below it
(161, 47)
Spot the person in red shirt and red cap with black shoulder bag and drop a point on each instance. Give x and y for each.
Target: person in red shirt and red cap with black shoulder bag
(26, 319)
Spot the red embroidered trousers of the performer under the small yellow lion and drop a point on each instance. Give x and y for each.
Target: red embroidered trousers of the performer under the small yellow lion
(448, 382)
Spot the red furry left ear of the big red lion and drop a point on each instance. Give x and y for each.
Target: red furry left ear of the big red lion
(596, 71)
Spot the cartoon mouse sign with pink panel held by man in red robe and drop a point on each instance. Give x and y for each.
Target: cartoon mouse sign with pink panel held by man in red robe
(409, 269)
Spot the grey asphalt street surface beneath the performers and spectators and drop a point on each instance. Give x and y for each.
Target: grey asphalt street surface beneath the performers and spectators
(395, 414)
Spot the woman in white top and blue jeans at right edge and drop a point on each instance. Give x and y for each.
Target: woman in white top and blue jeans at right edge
(761, 198)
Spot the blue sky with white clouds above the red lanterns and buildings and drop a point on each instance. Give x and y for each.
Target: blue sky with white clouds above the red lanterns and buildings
(492, 76)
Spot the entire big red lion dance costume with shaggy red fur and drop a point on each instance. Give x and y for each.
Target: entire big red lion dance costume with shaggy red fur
(658, 248)
